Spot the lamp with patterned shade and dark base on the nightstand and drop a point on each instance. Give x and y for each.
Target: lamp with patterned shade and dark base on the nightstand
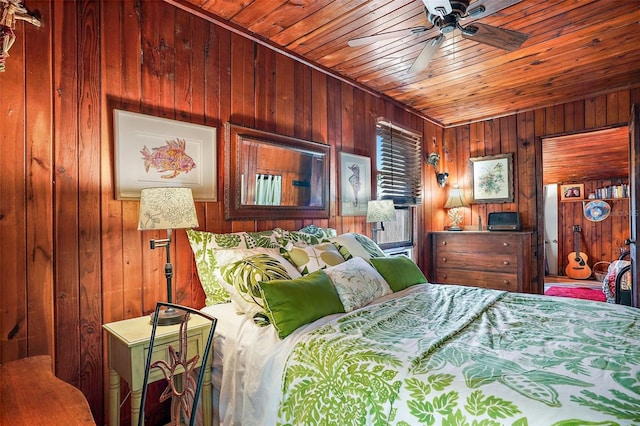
(167, 208)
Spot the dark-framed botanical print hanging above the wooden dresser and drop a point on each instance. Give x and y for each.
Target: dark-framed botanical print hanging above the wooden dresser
(492, 178)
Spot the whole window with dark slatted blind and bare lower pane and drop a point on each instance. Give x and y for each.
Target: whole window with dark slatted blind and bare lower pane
(399, 178)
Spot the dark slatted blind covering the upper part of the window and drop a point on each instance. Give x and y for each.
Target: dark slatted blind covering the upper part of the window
(399, 164)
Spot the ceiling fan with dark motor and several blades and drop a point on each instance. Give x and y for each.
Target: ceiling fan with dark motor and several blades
(445, 17)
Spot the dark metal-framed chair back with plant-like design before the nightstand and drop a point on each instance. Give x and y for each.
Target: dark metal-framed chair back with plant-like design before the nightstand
(179, 369)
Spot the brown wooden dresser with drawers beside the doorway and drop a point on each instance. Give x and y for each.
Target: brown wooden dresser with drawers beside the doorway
(497, 260)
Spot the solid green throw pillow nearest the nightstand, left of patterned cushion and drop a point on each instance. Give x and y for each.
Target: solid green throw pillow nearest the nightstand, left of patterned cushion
(291, 304)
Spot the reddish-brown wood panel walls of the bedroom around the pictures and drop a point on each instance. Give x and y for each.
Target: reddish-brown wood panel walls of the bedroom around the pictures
(70, 255)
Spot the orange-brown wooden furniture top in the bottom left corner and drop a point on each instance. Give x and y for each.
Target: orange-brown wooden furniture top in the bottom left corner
(30, 394)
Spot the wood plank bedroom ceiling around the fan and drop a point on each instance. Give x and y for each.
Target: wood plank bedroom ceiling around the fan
(575, 49)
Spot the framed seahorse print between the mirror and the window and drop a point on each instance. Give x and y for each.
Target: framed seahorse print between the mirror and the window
(355, 184)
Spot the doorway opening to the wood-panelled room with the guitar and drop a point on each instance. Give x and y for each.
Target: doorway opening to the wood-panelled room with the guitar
(595, 161)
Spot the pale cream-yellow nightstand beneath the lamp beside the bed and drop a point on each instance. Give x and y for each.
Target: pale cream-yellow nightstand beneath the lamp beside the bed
(128, 346)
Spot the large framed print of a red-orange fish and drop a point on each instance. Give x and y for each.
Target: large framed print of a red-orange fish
(152, 152)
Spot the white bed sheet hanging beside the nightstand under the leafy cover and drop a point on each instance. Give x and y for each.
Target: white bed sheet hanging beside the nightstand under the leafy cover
(248, 363)
